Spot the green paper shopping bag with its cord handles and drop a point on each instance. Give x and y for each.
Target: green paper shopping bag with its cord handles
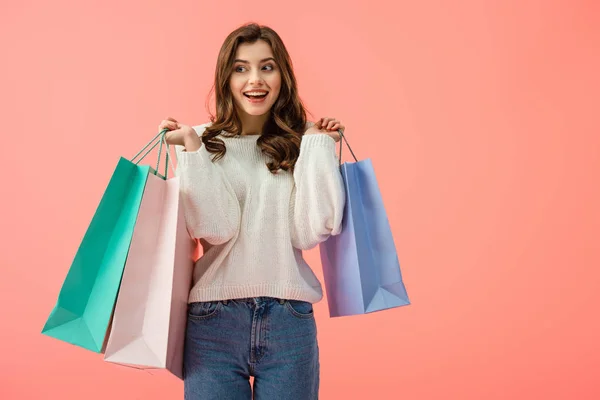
(85, 304)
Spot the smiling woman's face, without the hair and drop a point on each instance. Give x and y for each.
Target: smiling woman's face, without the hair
(255, 73)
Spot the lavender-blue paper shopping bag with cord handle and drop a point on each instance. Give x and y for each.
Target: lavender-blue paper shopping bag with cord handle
(361, 269)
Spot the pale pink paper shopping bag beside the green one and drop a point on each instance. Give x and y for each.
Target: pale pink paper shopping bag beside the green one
(148, 327)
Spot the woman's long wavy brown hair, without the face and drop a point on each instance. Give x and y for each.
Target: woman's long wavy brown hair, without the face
(284, 128)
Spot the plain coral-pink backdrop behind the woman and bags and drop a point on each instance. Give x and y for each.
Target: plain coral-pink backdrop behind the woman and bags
(481, 118)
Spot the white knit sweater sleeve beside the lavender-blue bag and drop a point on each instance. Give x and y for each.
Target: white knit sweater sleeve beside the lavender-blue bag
(318, 196)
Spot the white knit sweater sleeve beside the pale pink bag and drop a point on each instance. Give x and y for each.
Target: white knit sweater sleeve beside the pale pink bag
(211, 209)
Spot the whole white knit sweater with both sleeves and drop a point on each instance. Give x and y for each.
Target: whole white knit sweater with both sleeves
(255, 224)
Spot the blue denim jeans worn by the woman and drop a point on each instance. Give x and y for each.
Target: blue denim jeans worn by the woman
(273, 340)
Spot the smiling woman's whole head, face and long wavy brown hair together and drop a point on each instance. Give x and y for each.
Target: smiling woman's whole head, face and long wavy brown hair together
(254, 62)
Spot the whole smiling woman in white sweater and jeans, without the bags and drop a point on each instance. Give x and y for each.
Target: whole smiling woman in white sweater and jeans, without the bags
(259, 185)
